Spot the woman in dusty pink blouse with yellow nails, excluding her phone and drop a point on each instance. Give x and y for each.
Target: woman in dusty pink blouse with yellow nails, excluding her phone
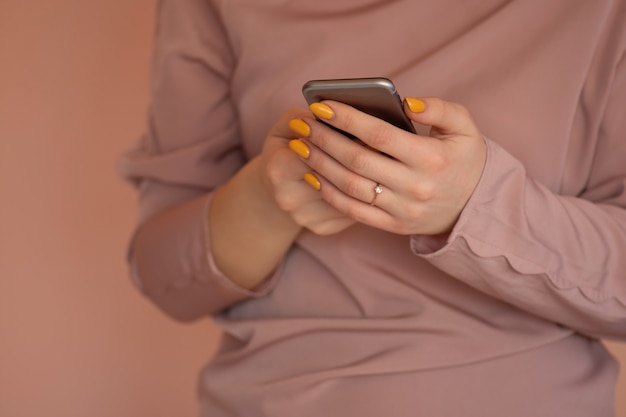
(479, 280)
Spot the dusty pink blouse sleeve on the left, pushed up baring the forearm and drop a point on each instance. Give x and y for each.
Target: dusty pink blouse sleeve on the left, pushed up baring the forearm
(191, 147)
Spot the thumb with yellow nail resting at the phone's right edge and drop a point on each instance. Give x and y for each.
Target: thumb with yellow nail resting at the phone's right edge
(445, 117)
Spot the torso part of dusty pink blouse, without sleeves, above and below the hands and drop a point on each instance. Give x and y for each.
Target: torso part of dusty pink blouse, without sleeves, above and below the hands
(358, 324)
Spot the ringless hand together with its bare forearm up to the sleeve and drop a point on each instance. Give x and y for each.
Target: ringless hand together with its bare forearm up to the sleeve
(256, 216)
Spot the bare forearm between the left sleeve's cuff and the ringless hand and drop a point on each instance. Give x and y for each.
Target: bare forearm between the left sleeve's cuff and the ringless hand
(250, 234)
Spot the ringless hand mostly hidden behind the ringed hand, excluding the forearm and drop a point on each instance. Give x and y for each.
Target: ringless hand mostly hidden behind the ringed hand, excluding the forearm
(287, 178)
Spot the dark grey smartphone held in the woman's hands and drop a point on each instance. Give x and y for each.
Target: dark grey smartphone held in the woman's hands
(375, 96)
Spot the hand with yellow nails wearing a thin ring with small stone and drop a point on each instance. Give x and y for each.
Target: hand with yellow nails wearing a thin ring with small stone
(422, 188)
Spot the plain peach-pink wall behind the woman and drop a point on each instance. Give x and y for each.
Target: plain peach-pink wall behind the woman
(76, 339)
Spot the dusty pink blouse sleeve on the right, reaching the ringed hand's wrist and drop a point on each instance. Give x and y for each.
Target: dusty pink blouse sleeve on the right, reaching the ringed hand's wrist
(559, 257)
